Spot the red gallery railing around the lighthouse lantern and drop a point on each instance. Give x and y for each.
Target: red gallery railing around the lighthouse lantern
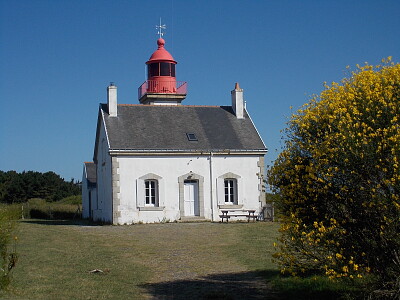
(164, 87)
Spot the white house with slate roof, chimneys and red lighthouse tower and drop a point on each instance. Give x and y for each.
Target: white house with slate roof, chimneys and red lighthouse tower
(161, 160)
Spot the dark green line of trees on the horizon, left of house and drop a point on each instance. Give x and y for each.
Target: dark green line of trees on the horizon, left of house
(20, 187)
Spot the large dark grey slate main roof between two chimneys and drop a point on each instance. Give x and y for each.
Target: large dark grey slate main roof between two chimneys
(159, 127)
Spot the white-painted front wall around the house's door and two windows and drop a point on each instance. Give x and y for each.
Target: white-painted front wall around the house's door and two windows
(169, 168)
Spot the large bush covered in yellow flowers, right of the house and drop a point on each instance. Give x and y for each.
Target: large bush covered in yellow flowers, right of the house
(338, 179)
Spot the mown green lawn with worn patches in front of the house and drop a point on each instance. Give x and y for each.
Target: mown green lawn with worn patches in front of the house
(154, 261)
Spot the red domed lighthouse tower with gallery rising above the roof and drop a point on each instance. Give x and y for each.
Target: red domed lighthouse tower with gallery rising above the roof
(161, 87)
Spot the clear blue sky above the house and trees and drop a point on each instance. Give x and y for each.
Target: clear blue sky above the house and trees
(57, 58)
